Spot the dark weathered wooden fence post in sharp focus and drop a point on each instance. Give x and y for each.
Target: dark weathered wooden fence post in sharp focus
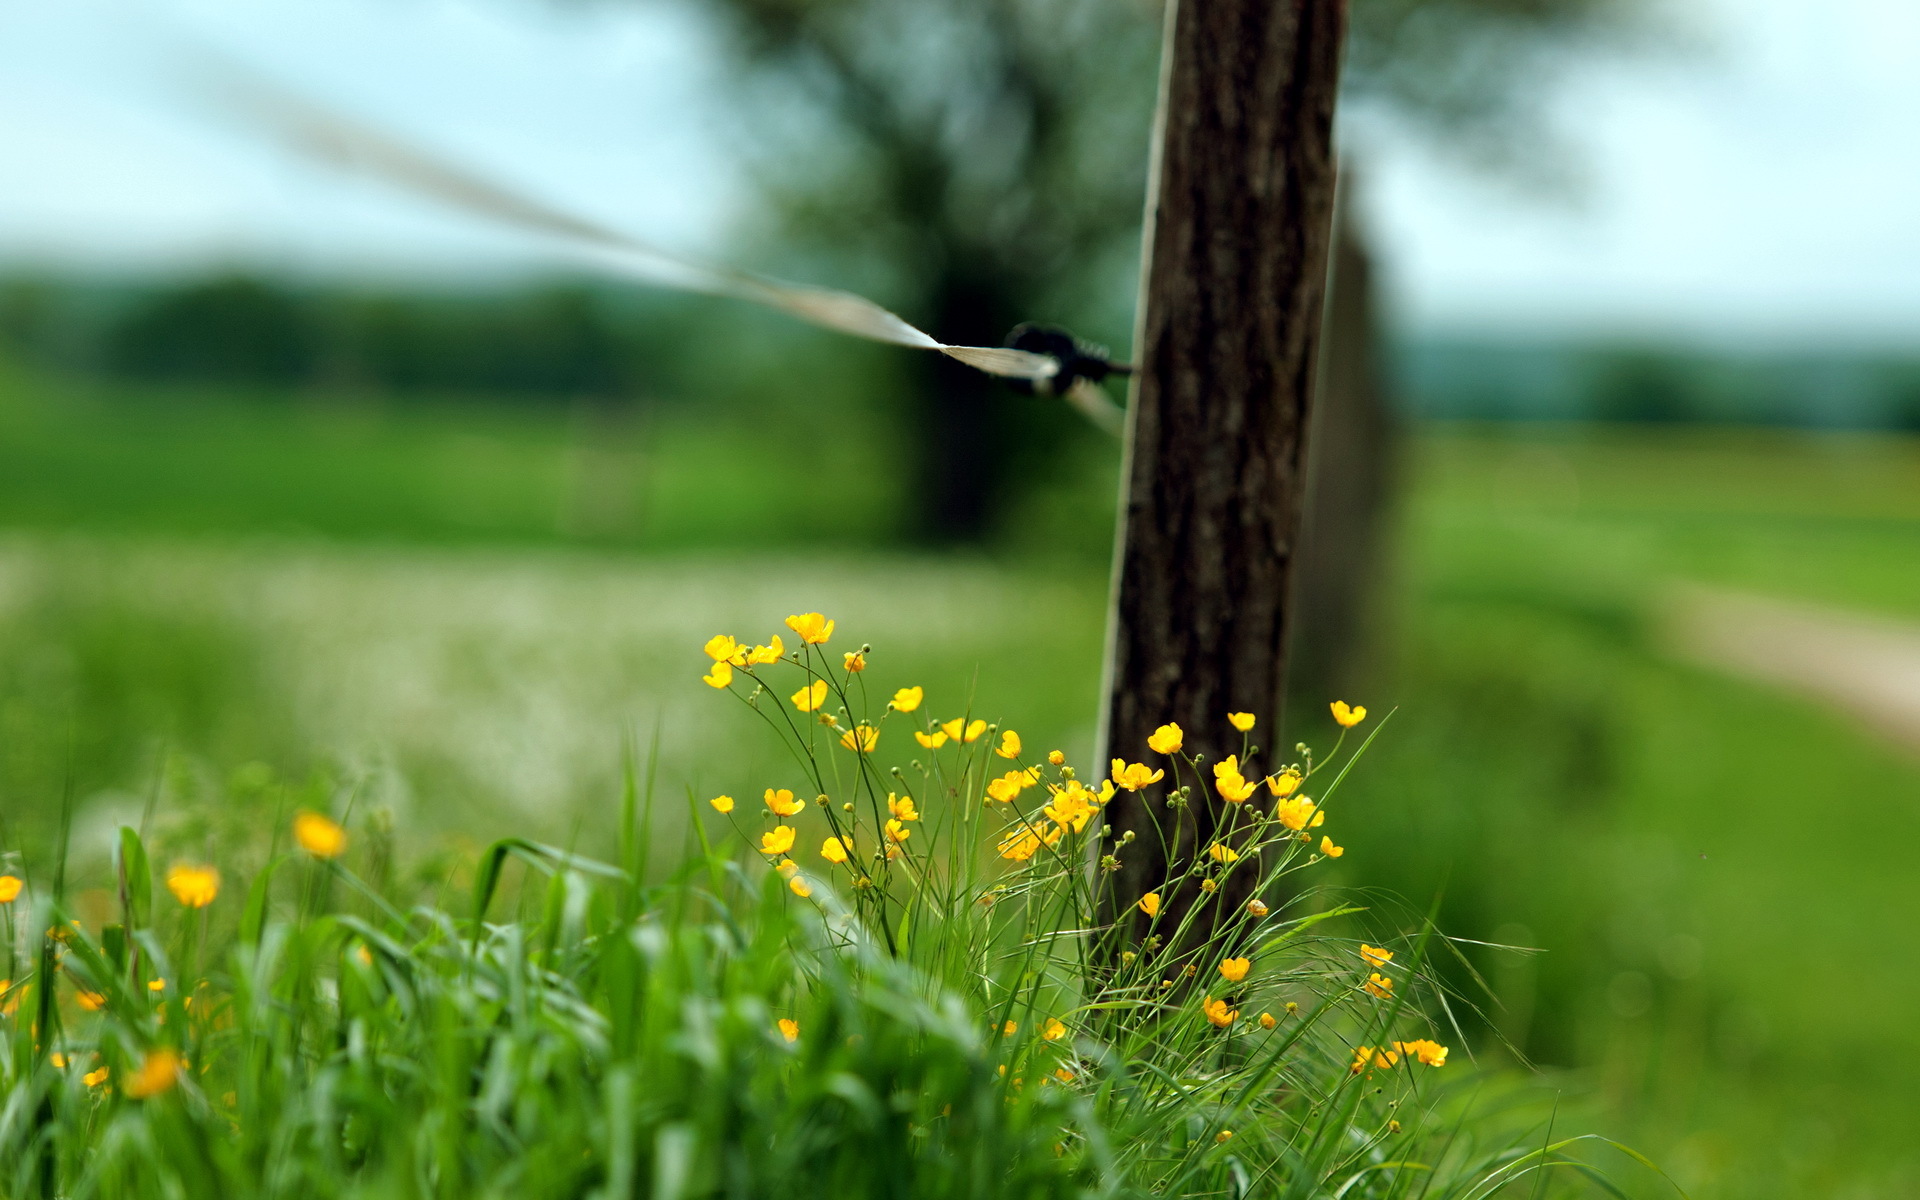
(1236, 274)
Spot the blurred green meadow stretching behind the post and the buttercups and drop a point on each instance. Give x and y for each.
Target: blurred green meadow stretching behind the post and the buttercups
(412, 606)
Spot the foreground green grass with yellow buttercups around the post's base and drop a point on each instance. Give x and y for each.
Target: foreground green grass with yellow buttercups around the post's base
(880, 980)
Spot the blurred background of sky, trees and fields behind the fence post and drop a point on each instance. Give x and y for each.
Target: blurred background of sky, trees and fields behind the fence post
(312, 491)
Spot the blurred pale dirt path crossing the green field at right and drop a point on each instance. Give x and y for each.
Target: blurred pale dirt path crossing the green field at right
(1865, 665)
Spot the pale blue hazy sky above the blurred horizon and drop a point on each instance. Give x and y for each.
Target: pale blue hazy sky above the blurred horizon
(1758, 183)
